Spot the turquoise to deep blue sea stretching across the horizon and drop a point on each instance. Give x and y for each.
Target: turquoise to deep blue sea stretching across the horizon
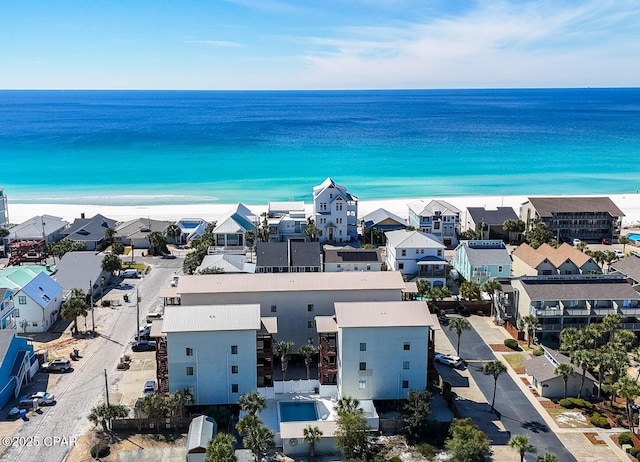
(171, 147)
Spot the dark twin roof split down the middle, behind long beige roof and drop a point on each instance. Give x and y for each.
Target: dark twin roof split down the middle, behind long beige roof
(291, 253)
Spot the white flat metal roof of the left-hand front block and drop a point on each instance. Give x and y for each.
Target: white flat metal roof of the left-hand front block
(204, 318)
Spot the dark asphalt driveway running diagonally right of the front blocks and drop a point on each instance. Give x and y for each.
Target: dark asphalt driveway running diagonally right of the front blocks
(515, 412)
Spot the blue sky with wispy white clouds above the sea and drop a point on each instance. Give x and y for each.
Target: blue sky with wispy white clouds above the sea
(328, 44)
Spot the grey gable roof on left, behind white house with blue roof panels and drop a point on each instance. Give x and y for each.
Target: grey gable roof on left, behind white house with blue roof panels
(77, 269)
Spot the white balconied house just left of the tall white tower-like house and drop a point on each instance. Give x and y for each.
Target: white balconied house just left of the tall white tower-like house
(286, 221)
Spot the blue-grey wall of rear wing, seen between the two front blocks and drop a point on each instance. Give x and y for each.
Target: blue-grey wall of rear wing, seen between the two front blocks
(295, 321)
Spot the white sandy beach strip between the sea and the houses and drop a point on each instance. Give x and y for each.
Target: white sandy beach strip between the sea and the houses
(18, 213)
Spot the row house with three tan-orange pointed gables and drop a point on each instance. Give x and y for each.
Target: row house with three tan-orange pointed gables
(547, 260)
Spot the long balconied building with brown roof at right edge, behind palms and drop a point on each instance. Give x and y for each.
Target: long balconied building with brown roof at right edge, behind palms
(562, 301)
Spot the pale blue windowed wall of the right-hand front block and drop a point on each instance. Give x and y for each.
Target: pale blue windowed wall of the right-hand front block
(384, 357)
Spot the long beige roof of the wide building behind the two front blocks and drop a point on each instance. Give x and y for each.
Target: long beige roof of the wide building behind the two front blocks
(285, 282)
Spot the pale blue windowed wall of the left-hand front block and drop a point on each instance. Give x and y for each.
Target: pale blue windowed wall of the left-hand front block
(212, 362)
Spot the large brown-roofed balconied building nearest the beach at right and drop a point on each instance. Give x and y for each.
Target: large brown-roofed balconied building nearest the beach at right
(590, 219)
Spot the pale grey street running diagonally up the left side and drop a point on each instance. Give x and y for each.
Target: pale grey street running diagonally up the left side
(50, 436)
